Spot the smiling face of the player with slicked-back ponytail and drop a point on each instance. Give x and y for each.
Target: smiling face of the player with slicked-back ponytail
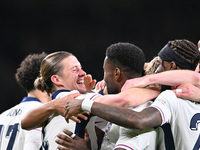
(72, 76)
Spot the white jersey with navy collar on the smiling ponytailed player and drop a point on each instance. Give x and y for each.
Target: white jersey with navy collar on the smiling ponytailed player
(56, 123)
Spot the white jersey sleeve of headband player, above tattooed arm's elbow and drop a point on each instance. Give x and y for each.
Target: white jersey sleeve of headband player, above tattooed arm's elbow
(165, 104)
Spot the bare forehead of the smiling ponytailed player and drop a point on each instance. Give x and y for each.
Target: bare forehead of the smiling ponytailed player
(70, 62)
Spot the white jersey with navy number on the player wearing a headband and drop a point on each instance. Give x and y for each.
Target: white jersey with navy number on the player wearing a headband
(183, 117)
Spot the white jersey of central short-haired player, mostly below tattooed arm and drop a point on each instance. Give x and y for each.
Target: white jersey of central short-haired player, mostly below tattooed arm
(130, 139)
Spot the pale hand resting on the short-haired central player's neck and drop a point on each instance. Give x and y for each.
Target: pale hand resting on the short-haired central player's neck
(136, 82)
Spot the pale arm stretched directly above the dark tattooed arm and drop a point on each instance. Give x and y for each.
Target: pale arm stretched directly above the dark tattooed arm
(137, 97)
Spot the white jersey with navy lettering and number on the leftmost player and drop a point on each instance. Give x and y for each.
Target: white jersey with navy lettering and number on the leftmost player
(12, 136)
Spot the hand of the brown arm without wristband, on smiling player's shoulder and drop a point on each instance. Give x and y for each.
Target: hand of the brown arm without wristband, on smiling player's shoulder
(60, 103)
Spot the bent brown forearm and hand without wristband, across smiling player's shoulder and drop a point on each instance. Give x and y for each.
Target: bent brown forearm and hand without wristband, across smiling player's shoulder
(36, 117)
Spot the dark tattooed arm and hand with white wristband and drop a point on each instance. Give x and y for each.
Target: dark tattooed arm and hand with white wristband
(147, 118)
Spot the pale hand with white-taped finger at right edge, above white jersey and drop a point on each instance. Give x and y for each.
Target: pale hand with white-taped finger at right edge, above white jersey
(188, 91)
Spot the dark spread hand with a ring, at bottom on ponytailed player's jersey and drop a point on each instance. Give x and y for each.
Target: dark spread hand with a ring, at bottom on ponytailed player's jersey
(66, 142)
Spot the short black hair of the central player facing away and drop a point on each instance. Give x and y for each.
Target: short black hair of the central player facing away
(128, 57)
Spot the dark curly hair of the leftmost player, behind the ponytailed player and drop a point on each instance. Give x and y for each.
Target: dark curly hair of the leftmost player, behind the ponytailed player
(29, 70)
